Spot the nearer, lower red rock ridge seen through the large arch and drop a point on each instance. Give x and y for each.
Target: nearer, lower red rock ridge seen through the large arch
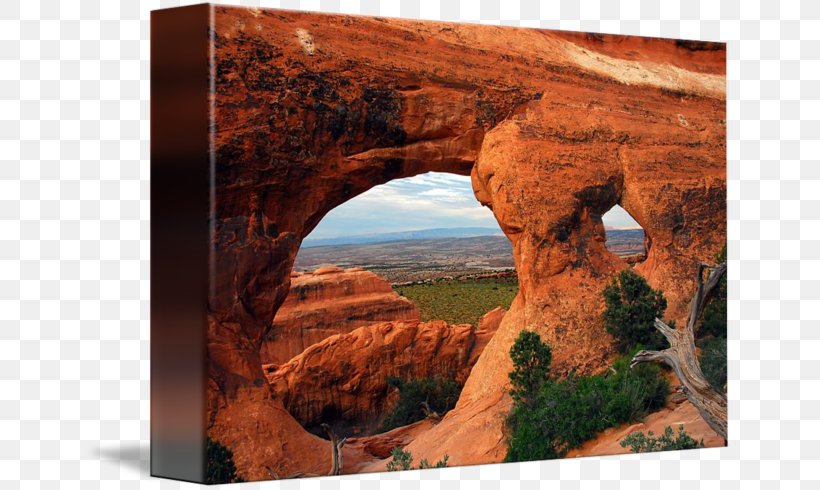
(344, 377)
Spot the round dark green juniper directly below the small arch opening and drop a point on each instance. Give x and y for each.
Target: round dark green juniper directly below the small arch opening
(631, 309)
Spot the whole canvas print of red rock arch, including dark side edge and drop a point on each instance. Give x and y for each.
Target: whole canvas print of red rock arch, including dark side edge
(383, 244)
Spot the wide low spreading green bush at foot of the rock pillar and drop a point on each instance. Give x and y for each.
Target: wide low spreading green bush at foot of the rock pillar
(563, 414)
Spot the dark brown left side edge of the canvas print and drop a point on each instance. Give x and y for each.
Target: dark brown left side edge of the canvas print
(180, 211)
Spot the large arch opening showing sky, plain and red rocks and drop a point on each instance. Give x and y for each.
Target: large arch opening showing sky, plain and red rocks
(404, 275)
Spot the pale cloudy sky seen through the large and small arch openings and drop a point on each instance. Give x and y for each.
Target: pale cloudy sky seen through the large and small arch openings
(431, 200)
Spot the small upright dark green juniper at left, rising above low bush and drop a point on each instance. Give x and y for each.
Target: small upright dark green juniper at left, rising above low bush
(531, 364)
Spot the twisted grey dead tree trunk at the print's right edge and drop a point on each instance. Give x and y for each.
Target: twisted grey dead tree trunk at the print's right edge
(681, 356)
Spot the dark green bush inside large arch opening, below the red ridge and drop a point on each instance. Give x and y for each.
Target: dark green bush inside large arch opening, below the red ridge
(439, 393)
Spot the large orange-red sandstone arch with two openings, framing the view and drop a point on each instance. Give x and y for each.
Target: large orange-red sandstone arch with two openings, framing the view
(554, 127)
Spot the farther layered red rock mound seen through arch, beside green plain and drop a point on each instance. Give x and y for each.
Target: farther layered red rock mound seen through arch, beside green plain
(330, 301)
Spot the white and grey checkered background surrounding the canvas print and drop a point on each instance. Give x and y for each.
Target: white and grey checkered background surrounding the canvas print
(75, 230)
